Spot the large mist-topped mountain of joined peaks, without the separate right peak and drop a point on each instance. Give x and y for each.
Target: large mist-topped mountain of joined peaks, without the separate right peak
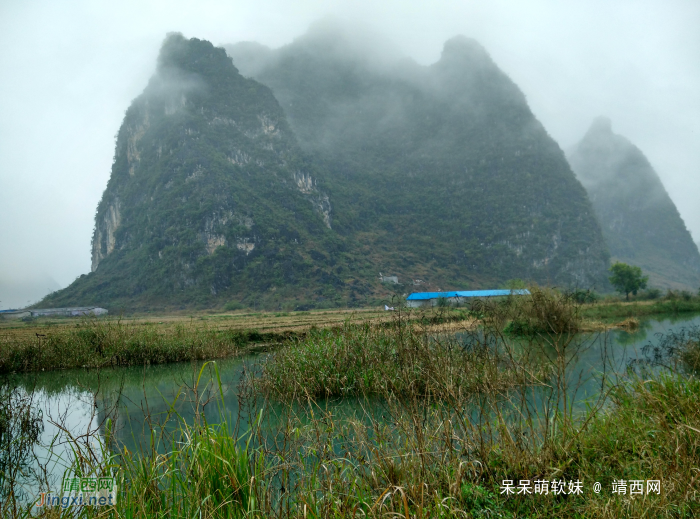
(336, 167)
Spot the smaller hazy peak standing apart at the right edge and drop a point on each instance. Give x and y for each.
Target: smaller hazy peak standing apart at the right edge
(639, 220)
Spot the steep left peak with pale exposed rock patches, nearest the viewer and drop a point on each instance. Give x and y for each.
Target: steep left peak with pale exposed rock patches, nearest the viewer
(210, 197)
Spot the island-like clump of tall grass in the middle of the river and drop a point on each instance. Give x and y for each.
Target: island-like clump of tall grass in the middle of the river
(398, 358)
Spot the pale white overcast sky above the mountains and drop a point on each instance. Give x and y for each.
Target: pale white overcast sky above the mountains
(70, 69)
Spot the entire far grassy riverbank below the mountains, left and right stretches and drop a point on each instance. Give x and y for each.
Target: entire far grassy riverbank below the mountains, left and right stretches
(50, 344)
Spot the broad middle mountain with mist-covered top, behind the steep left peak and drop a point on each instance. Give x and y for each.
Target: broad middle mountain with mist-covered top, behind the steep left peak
(442, 172)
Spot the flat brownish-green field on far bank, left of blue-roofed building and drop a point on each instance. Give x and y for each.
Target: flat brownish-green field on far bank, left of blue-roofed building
(106, 342)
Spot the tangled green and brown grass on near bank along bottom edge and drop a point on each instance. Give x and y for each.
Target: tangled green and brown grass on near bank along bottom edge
(332, 467)
